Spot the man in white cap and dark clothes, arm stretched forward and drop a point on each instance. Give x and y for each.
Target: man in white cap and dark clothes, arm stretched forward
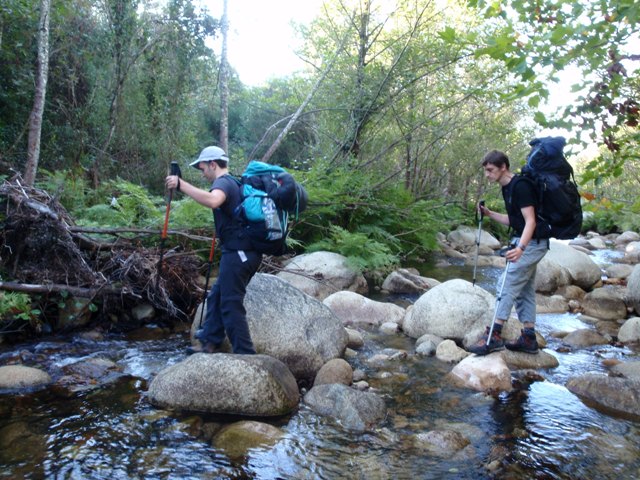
(238, 262)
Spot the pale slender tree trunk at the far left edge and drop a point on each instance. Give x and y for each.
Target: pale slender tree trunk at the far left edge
(42, 73)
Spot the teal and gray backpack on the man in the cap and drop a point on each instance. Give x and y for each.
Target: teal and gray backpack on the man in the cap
(269, 196)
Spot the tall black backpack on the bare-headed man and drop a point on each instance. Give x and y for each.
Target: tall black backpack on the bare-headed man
(559, 213)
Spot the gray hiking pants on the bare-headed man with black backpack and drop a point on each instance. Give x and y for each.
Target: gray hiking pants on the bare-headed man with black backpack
(519, 285)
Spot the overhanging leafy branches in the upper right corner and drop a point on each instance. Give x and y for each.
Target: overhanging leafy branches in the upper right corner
(538, 39)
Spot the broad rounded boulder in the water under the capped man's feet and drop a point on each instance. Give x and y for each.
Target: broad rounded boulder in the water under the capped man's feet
(250, 385)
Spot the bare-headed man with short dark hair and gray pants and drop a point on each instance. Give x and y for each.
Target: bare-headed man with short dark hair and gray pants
(526, 250)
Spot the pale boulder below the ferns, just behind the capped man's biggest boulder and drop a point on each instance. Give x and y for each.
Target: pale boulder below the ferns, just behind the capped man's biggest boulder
(320, 274)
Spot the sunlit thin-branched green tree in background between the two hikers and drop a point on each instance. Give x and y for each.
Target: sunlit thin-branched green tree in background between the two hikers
(403, 100)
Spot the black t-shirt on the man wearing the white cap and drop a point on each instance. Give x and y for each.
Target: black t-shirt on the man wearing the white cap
(228, 230)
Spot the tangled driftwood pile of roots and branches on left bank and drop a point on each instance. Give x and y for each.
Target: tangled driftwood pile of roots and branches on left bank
(43, 252)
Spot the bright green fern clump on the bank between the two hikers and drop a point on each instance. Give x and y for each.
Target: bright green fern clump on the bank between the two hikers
(374, 228)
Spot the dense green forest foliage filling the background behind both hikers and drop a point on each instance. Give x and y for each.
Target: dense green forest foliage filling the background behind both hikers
(406, 97)
